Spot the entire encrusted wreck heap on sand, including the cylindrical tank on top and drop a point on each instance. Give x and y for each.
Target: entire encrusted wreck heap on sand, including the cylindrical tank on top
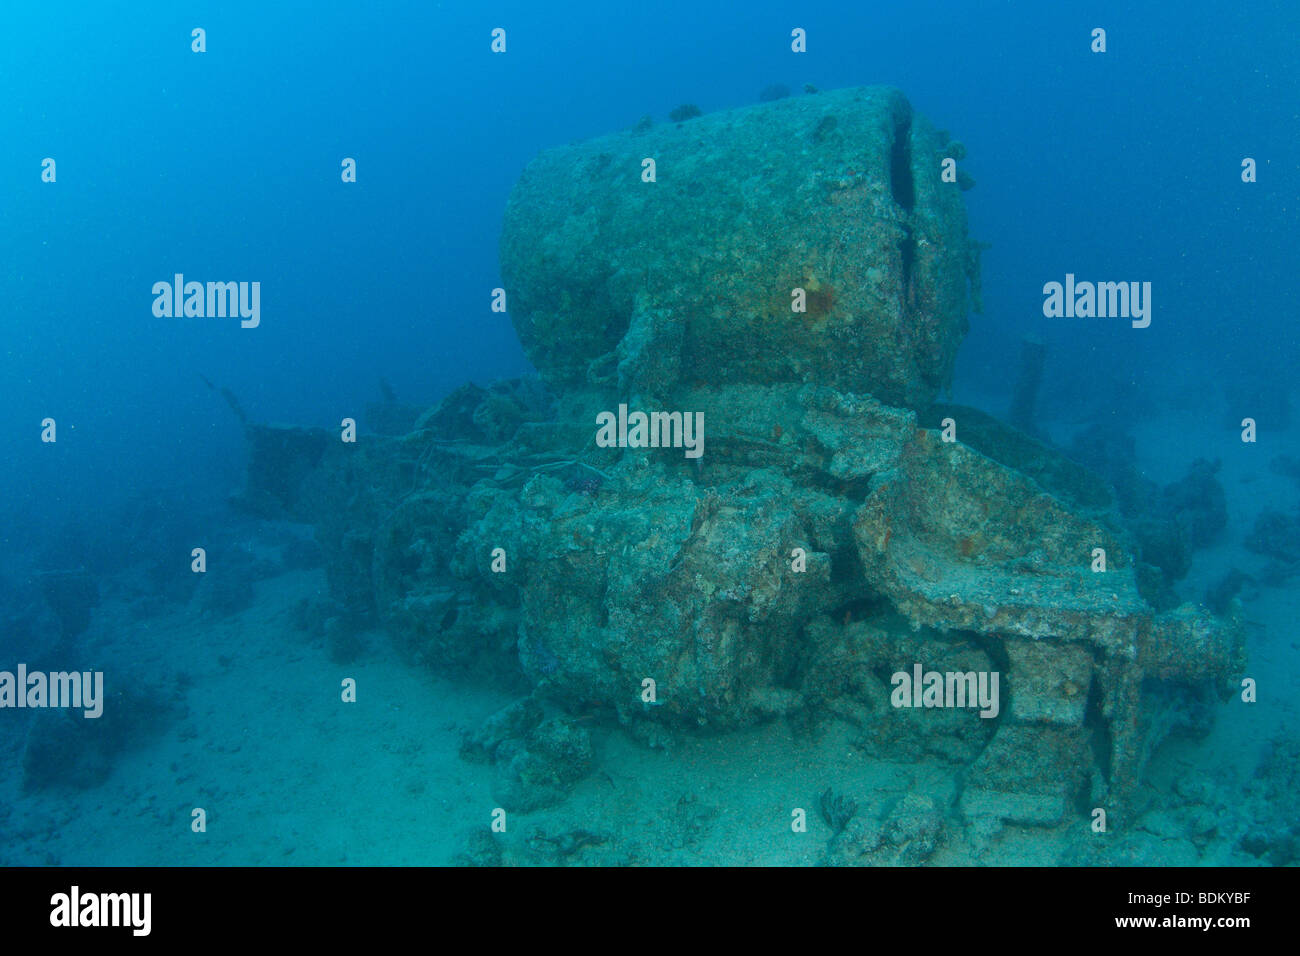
(842, 526)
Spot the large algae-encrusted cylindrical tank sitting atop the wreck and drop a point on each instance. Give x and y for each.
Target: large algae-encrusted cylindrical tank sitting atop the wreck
(835, 194)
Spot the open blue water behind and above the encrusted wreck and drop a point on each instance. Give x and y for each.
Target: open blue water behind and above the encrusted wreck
(227, 166)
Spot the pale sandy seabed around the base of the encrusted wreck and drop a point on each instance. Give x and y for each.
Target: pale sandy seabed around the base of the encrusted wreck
(289, 775)
